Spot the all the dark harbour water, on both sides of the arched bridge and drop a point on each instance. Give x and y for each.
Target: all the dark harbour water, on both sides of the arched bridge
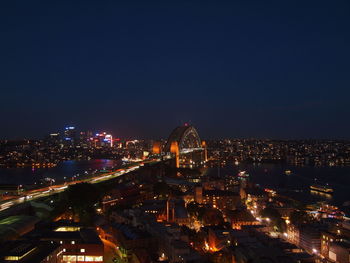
(273, 176)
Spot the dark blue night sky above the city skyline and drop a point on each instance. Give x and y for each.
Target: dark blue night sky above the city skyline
(240, 69)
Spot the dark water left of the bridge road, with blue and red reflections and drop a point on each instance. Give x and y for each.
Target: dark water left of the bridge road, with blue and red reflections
(63, 171)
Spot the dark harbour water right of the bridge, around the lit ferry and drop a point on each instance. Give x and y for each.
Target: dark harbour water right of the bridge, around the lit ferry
(296, 185)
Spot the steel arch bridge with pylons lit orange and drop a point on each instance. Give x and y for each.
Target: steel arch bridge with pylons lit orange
(186, 146)
